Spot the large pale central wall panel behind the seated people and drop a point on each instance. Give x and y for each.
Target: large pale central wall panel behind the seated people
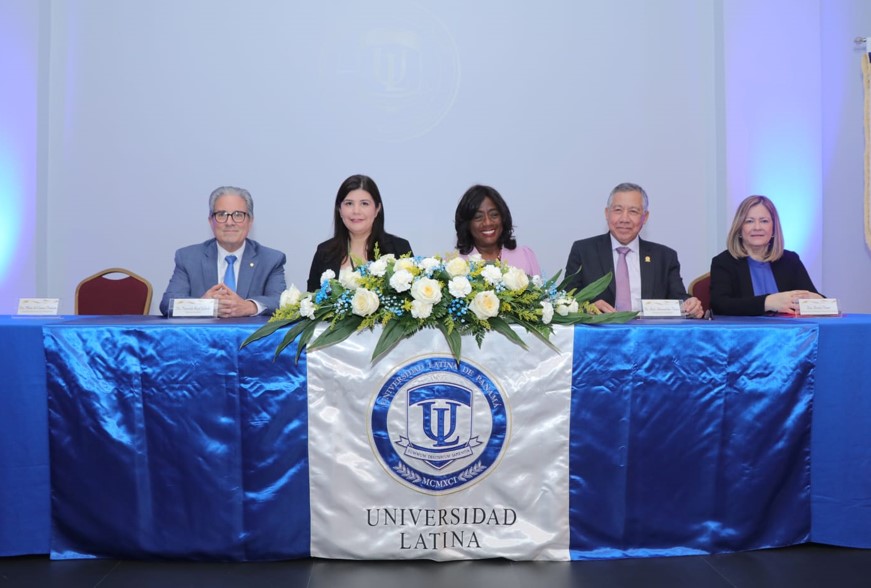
(154, 104)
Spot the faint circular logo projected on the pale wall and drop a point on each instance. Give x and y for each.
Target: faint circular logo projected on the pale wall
(392, 69)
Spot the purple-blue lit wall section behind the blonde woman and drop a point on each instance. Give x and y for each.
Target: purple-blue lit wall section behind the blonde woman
(774, 114)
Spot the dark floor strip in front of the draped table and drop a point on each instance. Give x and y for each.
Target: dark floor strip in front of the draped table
(802, 566)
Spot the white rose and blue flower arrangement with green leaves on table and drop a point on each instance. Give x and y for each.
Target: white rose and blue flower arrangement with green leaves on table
(457, 296)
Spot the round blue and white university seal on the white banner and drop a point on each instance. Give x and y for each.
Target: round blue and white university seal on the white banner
(437, 427)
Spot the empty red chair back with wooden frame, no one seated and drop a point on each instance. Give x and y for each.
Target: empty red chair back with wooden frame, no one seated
(127, 294)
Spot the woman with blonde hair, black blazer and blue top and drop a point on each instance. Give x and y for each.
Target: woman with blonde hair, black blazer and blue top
(756, 275)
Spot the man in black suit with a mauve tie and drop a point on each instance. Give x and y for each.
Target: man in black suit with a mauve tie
(653, 270)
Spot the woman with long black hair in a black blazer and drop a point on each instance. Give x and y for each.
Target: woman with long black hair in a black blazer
(358, 225)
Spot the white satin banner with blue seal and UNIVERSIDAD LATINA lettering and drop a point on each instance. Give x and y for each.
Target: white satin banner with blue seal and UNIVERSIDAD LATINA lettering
(415, 457)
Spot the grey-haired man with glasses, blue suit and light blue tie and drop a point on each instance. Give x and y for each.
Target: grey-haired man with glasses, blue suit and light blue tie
(251, 275)
